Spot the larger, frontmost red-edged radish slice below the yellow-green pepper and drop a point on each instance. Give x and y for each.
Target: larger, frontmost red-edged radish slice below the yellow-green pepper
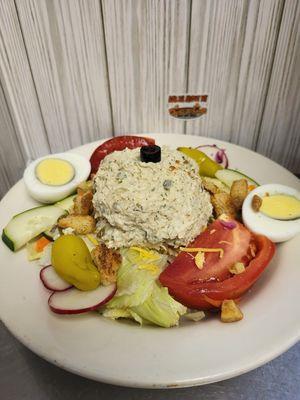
(76, 301)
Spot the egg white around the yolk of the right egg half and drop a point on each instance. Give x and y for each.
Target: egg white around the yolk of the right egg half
(275, 230)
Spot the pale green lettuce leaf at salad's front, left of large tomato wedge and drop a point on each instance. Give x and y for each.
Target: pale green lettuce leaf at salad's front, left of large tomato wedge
(139, 296)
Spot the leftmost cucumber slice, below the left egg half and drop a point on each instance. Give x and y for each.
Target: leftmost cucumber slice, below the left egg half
(29, 224)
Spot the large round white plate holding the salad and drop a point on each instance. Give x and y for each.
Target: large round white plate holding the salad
(126, 354)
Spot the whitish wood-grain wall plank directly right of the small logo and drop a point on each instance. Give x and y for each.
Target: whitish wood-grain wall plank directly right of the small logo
(231, 53)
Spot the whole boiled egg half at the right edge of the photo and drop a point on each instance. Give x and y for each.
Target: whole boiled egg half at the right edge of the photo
(278, 213)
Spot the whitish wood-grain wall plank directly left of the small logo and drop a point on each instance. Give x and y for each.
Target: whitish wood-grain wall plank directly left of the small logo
(147, 52)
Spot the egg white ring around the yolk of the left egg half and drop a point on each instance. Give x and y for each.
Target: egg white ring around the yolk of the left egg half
(50, 194)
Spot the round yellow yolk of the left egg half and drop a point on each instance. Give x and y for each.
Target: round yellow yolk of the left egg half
(54, 171)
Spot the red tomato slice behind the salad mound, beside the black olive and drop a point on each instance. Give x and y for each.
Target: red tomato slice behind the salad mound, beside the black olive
(117, 144)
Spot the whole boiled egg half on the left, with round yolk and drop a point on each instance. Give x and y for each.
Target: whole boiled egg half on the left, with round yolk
(56, 176)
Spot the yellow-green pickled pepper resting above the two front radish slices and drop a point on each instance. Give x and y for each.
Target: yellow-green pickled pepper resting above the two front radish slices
(72, 261)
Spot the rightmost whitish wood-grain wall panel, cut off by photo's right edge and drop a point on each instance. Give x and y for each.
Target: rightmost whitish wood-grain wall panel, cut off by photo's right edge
(280, 130)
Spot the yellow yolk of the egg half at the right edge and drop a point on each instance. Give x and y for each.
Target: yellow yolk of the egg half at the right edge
(280, 206)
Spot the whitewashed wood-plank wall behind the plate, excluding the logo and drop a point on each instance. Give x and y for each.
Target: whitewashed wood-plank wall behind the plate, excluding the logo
(74, 71)
